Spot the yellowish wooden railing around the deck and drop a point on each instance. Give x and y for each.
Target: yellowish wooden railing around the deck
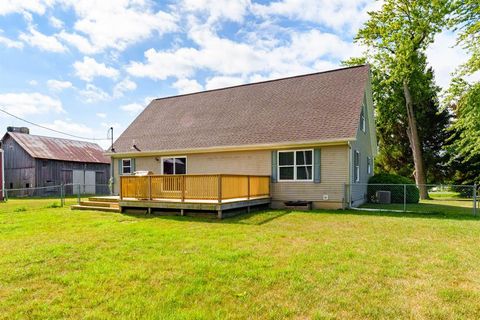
(216, 187)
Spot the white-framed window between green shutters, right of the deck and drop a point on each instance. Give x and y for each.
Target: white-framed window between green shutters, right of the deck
(295, 165)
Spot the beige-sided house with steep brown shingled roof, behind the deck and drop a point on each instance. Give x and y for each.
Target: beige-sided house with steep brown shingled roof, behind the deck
(311, 134)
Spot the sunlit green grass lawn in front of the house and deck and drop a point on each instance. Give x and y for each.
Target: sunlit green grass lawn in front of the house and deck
(57, 263)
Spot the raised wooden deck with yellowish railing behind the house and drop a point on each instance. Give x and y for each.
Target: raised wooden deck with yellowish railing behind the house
(194, 192)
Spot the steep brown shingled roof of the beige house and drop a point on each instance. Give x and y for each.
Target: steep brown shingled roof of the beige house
(314, 107)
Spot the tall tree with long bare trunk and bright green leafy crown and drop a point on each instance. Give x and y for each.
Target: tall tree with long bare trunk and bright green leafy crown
(398, 36)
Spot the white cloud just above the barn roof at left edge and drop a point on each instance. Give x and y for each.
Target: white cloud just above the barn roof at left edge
(22, 104)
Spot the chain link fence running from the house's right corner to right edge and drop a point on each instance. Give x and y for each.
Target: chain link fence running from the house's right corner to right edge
(451, 199)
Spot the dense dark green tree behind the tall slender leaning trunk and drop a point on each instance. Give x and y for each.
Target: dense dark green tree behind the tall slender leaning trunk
(395, 155)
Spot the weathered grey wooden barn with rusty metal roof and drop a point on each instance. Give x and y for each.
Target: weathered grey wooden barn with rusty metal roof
(33, 161)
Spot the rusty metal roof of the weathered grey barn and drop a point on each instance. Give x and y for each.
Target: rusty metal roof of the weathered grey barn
(59, 149)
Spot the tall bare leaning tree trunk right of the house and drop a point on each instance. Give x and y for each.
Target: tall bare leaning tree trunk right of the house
(415, 144)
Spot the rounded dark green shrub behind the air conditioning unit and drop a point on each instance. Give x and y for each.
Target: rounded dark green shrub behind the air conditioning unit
(389, 182)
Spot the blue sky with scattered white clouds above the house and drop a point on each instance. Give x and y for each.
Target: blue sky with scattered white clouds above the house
(82, 66)
